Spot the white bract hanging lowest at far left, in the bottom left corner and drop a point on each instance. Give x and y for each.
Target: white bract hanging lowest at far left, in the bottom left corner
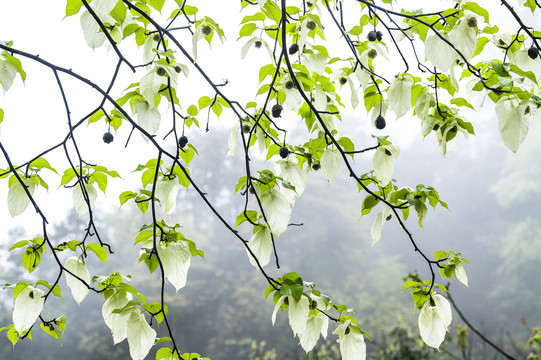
(26, 308)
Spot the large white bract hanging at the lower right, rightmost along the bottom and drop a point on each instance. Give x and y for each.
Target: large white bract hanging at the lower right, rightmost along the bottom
(434, 321)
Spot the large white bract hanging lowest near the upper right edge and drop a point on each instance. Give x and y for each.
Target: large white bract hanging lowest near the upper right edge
(513, 121)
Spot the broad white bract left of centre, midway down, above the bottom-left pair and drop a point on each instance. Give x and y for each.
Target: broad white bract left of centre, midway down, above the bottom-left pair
(175, 257)
